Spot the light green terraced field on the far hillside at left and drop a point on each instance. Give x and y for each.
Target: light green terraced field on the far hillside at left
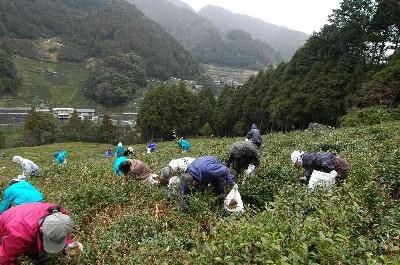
(53, 83)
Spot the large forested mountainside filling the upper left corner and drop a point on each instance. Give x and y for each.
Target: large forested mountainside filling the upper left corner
(92, 28)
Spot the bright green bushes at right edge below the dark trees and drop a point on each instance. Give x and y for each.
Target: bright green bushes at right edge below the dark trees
(369, 116)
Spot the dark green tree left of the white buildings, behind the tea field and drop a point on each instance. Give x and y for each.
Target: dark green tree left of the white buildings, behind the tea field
(40, 128)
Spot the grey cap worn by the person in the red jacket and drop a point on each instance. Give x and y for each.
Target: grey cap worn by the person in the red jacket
(56, 228)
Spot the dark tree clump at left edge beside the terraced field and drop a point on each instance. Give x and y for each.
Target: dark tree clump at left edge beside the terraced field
(8, 73)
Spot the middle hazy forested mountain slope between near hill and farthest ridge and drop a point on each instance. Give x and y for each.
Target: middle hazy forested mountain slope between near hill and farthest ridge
(205, 41)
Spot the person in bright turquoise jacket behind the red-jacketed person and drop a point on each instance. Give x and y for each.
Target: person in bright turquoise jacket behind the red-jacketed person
(19, 192)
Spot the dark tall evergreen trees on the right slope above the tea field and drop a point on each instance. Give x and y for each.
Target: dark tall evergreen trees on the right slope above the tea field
(345, 65)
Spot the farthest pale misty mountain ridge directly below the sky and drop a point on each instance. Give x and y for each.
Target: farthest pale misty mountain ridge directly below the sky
(284, 40)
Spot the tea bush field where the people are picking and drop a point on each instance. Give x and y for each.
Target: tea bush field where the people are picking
(284, 223)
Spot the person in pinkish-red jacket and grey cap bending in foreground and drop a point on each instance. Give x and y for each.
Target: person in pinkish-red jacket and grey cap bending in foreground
(35, 229)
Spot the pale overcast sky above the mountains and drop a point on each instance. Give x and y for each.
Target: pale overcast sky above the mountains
(303, 15)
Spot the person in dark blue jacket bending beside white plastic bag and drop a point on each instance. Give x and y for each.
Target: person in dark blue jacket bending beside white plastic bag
(205, 170)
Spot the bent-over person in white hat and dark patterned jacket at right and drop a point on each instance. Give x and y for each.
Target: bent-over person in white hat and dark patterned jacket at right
(325, 162)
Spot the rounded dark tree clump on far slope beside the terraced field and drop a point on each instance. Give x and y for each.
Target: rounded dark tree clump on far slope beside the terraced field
(114, 80)
